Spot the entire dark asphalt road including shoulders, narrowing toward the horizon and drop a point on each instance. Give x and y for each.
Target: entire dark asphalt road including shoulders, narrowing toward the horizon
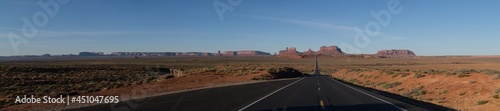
(309, 93)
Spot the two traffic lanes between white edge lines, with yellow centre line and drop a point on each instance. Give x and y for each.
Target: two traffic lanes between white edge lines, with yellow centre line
(317, 92)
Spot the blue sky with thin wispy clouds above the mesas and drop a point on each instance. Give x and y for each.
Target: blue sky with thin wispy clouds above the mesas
(428, 27)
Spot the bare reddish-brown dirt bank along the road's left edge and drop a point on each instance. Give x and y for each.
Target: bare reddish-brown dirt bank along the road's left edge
(151, 89)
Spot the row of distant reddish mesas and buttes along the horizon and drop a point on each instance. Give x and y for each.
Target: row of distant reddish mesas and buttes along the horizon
(290, 52)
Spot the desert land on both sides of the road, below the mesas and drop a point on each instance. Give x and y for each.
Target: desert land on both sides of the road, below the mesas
(466, 83)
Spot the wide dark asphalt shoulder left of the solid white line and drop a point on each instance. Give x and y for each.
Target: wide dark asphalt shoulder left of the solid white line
(229, 98)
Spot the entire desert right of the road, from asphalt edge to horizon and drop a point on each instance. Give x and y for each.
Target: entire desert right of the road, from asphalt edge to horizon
(446, 81)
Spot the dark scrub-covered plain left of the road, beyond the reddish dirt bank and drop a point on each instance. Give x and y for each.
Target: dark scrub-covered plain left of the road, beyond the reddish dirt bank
(81, 76)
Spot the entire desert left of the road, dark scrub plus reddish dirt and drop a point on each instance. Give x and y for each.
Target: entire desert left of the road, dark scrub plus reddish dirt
(117, 76)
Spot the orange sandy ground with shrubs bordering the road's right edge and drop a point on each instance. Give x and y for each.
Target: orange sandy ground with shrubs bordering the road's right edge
(461, 93)
